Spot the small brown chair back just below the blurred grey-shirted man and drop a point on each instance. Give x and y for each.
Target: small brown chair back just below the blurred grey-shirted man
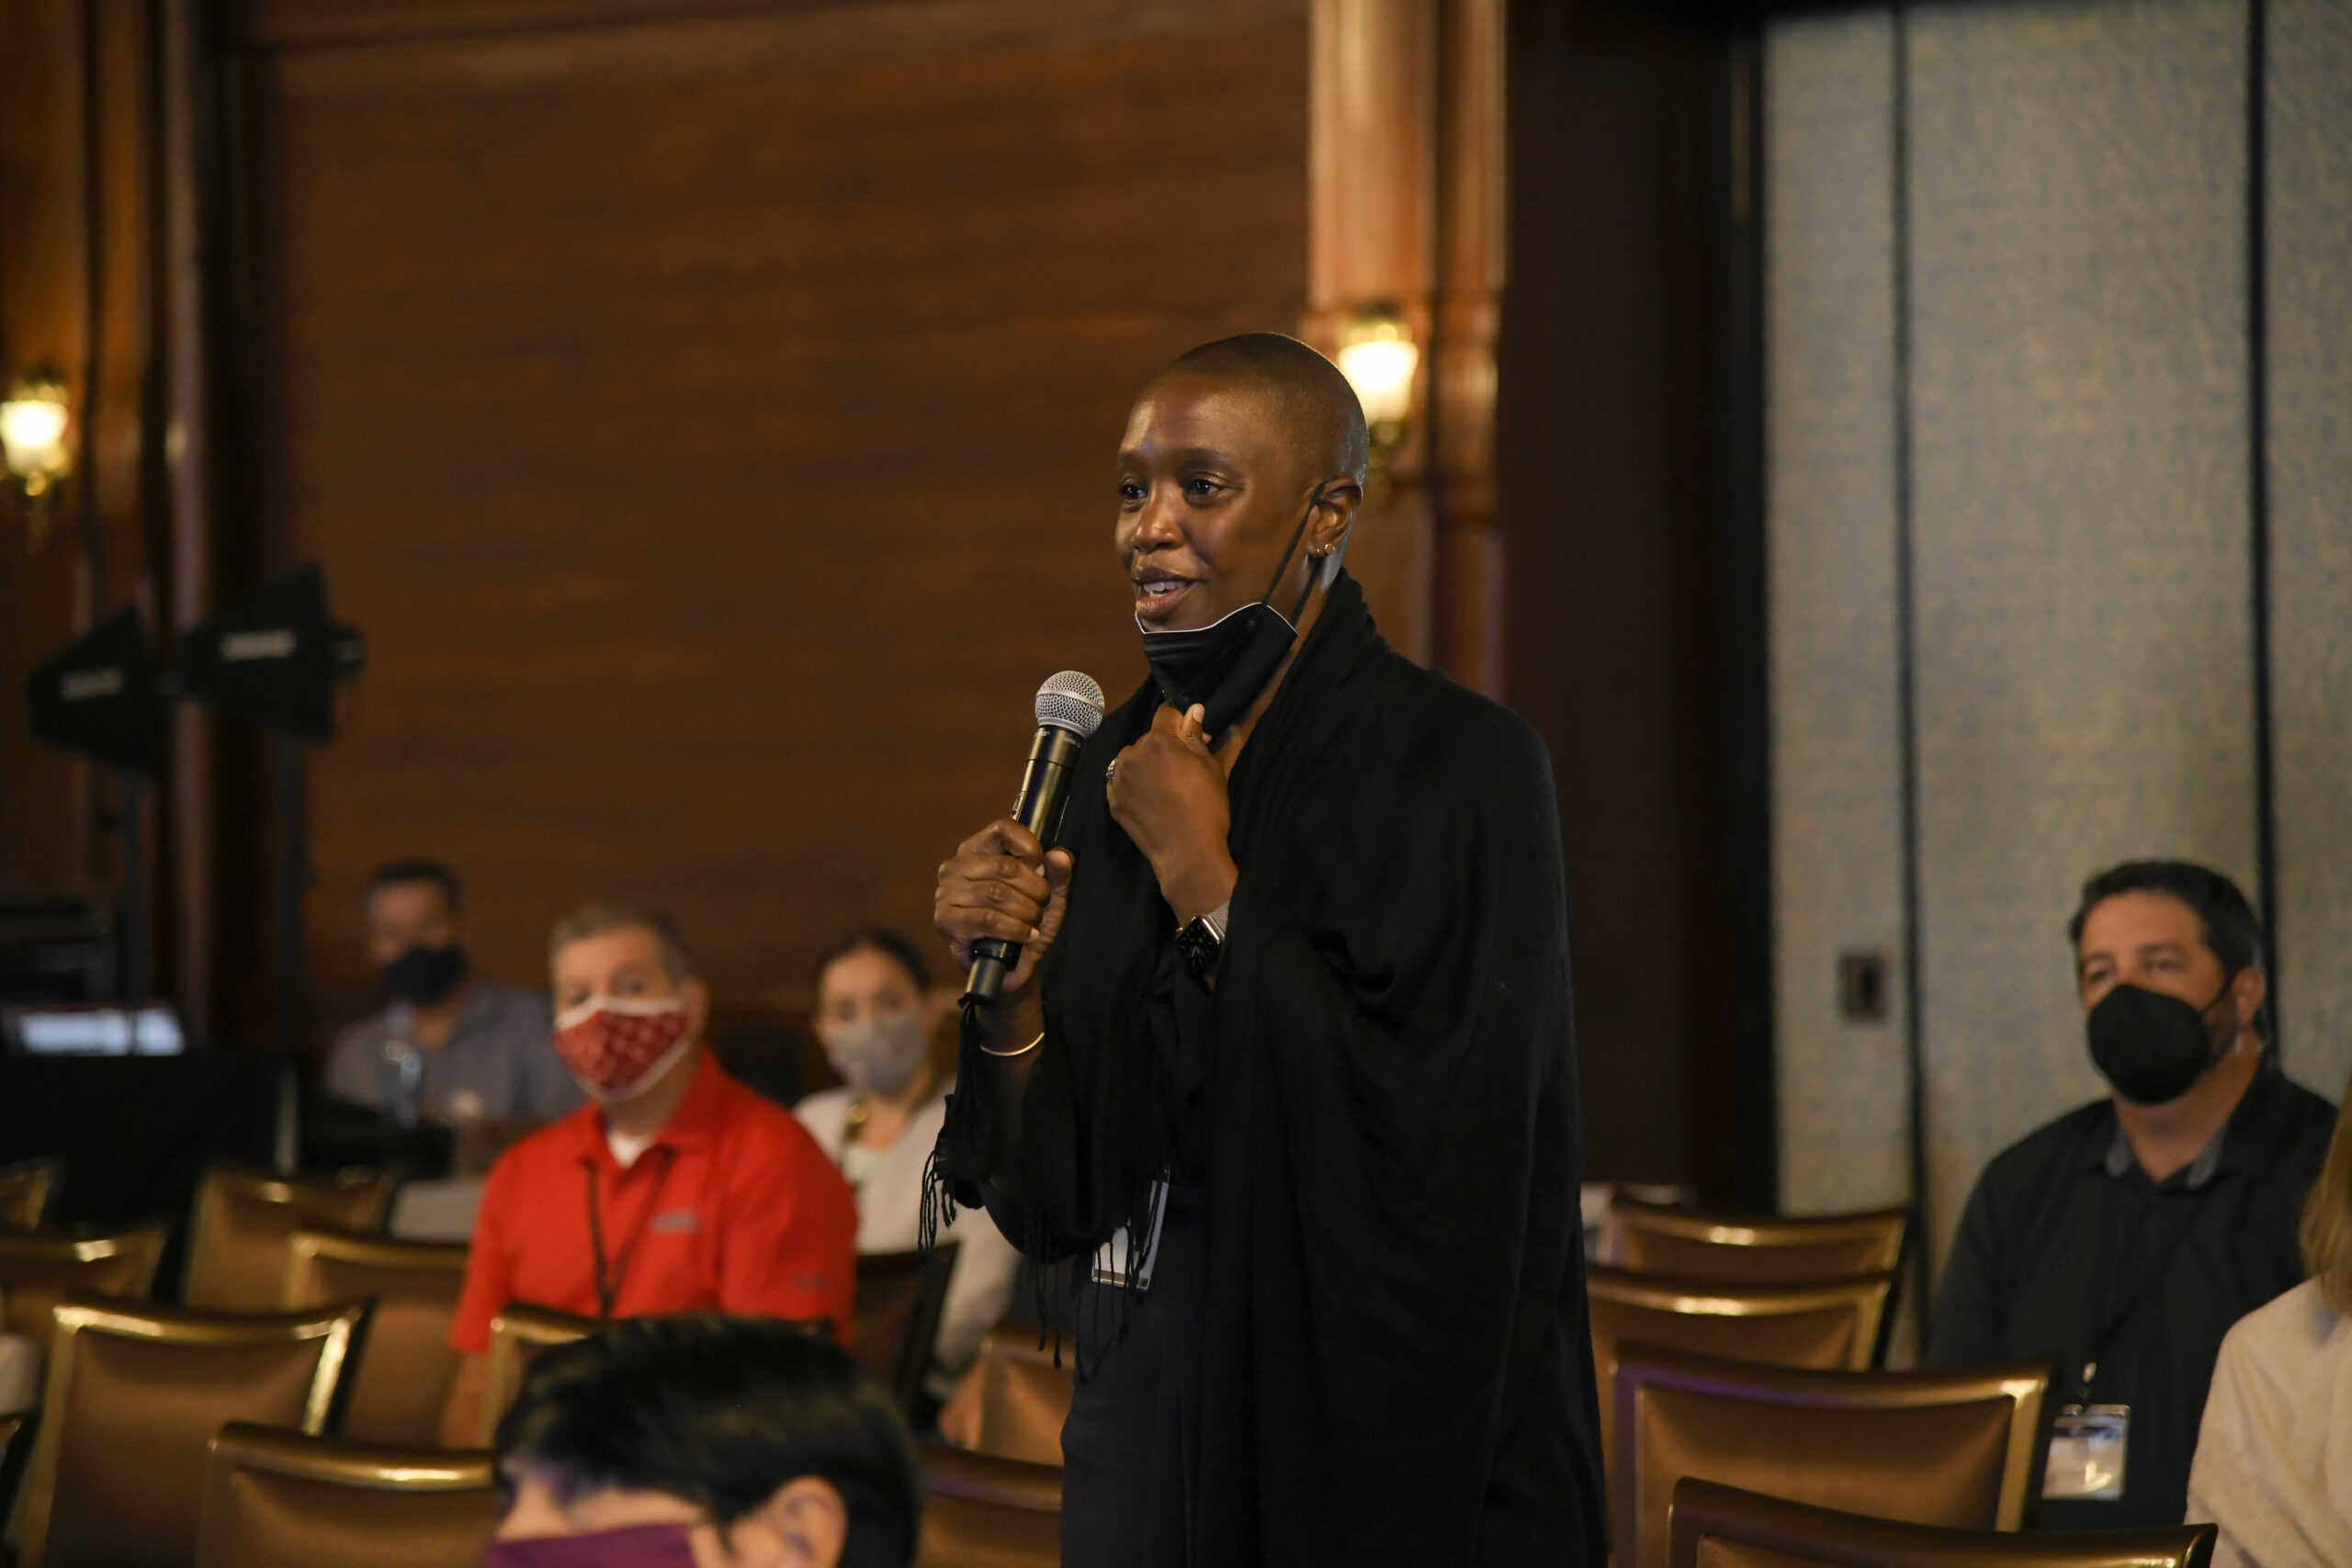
(243, 1219)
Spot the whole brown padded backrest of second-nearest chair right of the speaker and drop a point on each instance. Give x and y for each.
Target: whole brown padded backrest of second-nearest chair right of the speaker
(1946, 1447)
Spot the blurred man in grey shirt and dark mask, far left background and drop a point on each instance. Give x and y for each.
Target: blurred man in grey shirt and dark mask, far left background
(448, 1047)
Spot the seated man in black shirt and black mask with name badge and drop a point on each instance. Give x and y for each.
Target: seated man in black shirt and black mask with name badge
(2130, 1235)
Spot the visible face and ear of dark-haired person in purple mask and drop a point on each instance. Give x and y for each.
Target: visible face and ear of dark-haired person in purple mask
(803, 1527)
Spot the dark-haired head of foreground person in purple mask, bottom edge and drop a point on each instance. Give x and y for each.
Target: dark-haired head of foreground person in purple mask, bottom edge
(704, 1442)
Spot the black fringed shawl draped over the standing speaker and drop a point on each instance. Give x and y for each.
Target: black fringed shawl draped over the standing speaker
(1382, 1097)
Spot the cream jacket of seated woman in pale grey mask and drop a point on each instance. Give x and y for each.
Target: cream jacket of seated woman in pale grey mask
(890, 1221)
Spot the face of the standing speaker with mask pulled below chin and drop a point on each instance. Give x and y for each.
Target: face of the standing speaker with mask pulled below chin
(1210, 500)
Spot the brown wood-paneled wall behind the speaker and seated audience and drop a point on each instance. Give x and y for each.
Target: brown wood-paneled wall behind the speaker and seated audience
(707, 413)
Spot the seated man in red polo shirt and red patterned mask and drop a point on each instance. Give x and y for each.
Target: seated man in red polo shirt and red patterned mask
(671, 1191)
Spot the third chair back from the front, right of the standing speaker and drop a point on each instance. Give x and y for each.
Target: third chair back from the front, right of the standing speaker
(1829, 1327)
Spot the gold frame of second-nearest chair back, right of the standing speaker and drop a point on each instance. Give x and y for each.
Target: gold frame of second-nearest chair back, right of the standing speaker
(2024, 1383)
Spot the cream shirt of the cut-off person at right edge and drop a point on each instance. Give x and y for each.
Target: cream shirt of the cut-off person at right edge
(2276, 1452)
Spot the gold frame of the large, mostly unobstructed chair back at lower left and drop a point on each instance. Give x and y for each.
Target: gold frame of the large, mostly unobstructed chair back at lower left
(340, 1327)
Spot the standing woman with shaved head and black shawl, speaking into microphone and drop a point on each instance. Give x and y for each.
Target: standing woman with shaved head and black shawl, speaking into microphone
(1288, 1052)
